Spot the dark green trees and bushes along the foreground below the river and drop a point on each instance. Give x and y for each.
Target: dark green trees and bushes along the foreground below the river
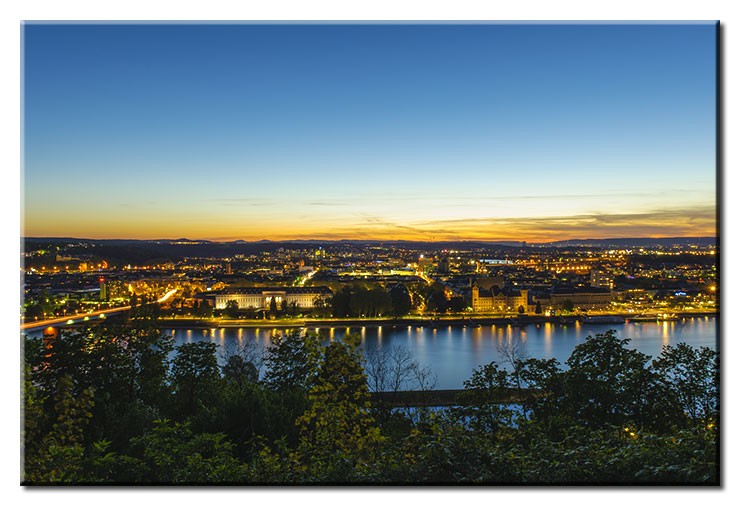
(117, 406)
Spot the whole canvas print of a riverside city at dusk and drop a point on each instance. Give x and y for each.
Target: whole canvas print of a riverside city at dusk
(359, 253)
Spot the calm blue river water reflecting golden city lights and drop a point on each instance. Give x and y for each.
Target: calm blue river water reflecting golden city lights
(452, 352)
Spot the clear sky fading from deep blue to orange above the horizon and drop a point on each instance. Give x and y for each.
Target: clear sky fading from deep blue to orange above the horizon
(491, 132)
